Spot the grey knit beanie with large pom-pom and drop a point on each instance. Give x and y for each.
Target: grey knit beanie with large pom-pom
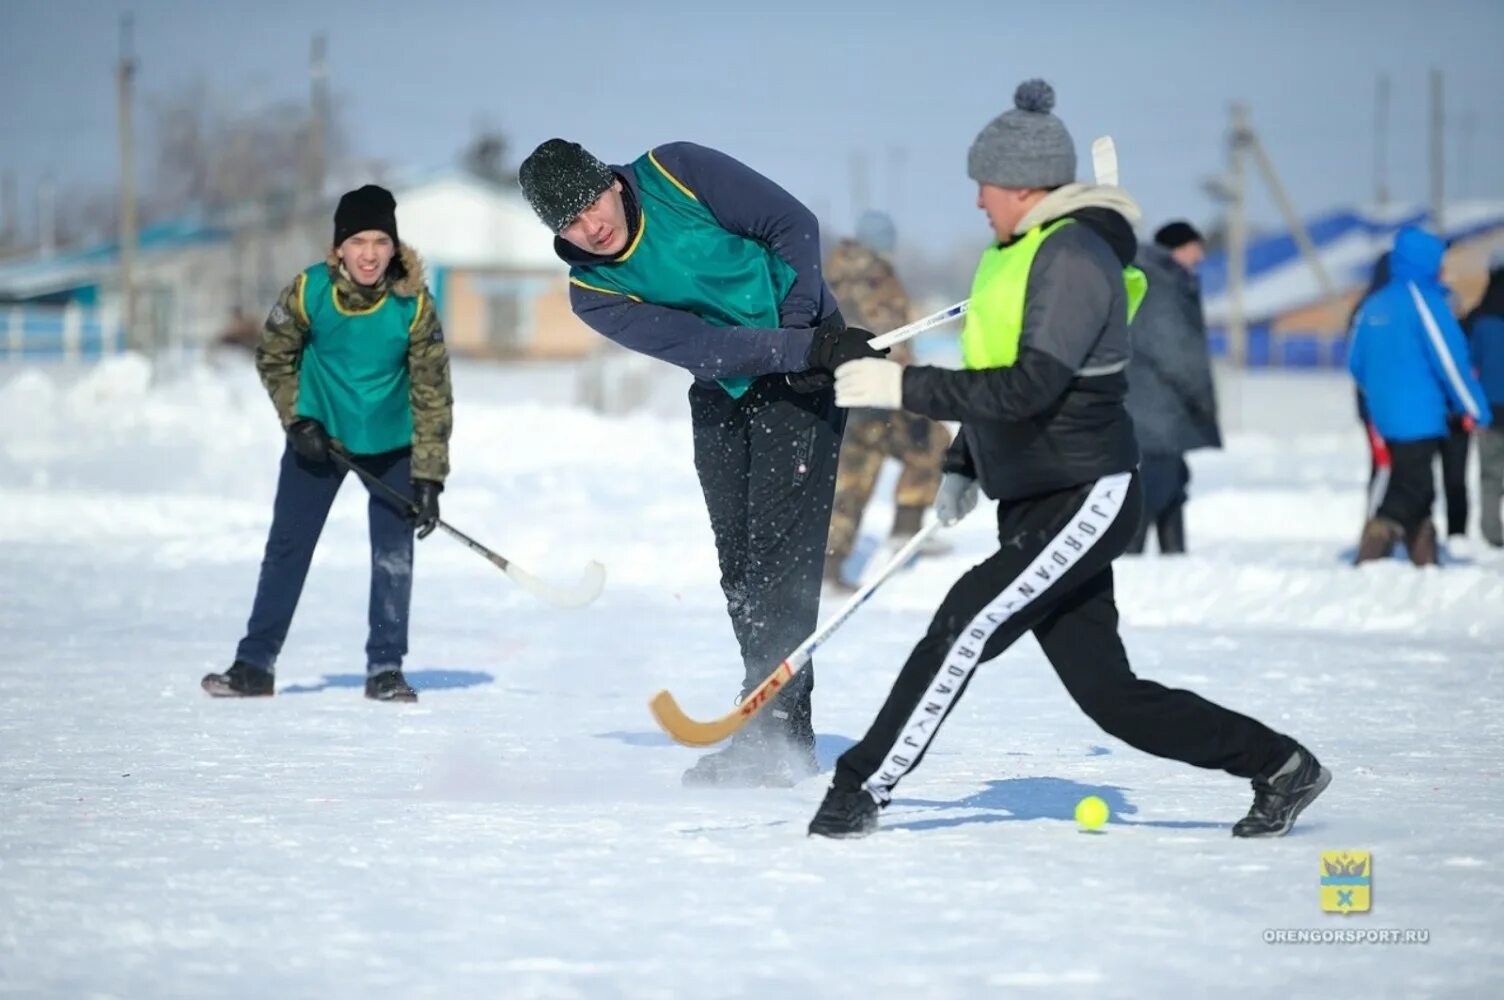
(1025, 147)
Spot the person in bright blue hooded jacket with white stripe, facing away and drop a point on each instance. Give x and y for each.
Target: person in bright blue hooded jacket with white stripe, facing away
(1412, 363)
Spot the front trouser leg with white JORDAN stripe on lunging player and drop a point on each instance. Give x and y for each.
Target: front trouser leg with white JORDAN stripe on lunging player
(1049, 545)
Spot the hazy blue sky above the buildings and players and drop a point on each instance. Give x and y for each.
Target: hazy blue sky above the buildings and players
(799, 88)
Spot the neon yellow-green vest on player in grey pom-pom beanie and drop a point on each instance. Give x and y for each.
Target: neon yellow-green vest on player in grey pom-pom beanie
(995, 318)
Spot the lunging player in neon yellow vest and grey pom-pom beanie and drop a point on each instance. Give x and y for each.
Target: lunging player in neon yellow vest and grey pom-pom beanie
(1045, 432)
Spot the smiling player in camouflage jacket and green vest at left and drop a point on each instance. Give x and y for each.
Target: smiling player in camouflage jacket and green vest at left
(354, 360)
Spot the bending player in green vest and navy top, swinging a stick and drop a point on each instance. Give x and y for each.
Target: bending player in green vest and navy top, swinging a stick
(693, 258)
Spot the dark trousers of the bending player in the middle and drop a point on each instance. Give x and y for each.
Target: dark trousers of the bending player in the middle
(768, 467)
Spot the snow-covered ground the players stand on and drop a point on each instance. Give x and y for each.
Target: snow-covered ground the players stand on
(523, 832)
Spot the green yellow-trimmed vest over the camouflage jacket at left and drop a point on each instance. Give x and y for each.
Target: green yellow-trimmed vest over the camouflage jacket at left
(354, 377)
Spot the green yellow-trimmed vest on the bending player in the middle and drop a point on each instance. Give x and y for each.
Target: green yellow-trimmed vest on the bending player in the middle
(684, 259)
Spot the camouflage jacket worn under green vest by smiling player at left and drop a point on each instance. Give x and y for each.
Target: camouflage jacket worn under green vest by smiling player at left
(279, 357)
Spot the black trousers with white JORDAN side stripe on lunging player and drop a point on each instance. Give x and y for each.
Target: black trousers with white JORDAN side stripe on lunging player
(1054, 577)
